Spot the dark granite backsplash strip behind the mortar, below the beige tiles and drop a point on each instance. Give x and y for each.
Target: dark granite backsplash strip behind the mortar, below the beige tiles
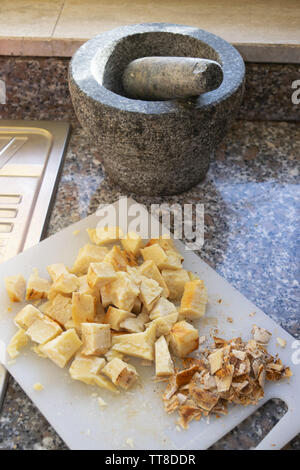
(37, 88)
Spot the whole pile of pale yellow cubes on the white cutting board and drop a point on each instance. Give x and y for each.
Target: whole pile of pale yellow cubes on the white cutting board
(122, 297)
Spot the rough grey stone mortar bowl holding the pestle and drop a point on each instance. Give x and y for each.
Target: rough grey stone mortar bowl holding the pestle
(153, 147)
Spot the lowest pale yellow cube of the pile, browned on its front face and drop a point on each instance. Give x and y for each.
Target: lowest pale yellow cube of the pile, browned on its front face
(120, 373)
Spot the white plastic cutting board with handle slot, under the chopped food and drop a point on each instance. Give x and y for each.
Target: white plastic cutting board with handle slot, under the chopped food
(136, 419)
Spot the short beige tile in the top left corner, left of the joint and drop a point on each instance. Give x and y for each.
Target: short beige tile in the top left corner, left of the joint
(31, 18)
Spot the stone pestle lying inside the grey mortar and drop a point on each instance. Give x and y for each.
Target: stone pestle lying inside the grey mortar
(164, 78)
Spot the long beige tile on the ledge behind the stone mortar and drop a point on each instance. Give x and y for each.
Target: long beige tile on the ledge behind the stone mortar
(253, 21)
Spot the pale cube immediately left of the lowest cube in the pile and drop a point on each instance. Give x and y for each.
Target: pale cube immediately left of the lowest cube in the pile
(85, 368)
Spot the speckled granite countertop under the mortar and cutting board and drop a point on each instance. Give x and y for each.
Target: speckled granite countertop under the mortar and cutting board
(250, 198)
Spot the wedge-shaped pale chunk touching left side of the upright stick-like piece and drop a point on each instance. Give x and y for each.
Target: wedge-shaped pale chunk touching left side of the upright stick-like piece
(137, 344)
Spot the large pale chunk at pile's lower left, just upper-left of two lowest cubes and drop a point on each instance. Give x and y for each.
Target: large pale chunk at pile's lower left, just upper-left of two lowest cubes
(62, 348)
